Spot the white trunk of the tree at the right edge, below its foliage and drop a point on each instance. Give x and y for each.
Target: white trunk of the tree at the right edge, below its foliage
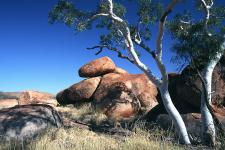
(208, 127)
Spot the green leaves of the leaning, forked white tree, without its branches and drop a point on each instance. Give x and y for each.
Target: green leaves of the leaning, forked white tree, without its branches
(148, 13)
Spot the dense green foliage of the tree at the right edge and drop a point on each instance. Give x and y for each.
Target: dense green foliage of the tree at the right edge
(192, 42)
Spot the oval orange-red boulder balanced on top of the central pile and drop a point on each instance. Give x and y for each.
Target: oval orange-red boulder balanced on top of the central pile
(97, 67)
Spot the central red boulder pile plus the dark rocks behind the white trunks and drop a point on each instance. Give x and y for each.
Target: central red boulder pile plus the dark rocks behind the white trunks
(114, 91)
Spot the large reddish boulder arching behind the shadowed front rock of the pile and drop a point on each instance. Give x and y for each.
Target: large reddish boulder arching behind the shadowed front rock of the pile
(139, 84)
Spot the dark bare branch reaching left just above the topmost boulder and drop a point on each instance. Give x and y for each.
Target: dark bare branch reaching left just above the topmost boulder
(119, 53)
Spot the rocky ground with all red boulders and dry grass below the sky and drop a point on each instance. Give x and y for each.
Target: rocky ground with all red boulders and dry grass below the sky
(122, 110)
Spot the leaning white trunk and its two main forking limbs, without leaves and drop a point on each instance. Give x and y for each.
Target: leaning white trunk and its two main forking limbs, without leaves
(163, 85)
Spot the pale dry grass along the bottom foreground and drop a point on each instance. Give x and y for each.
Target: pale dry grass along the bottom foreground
(83, 139)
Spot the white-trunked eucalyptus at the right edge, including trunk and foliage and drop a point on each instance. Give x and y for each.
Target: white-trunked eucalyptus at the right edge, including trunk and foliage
(201, 43)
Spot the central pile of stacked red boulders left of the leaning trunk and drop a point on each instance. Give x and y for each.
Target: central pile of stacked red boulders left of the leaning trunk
(111, 90)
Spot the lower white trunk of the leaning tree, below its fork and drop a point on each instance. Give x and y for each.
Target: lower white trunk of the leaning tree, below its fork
(174, 114)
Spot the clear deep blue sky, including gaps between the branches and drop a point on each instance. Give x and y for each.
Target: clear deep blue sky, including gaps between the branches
(38, 56)
